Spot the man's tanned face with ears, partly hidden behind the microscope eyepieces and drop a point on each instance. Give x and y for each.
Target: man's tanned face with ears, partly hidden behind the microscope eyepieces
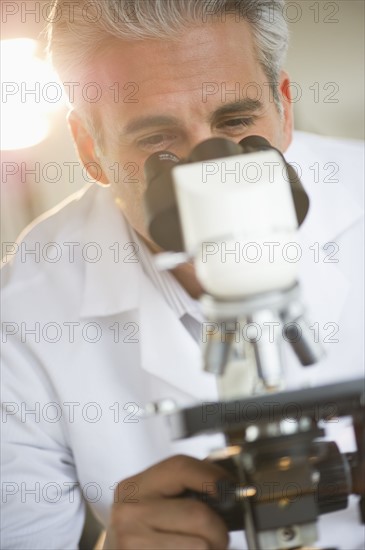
(171, 95)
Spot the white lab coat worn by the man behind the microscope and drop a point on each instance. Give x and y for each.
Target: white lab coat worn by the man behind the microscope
(129, 348)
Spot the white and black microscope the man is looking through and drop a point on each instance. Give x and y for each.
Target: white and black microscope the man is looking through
(234, 210)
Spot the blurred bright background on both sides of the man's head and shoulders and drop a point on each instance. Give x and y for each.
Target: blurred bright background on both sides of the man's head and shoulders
(39, 164)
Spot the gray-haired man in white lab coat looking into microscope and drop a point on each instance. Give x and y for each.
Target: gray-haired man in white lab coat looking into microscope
(101, 332)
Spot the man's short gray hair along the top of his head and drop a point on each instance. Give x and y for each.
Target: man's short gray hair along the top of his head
(77, 35)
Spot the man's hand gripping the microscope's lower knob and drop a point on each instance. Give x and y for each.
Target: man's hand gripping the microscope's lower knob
(147, 514)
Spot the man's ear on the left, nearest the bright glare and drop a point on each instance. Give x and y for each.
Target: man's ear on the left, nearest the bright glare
(85, 146)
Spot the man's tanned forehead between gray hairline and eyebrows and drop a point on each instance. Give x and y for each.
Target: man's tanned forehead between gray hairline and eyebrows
(143, 80)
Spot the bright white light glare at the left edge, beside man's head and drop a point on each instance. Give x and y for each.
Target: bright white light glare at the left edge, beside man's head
(30, 92)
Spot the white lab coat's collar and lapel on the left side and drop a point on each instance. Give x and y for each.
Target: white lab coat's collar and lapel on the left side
(112, 287)
